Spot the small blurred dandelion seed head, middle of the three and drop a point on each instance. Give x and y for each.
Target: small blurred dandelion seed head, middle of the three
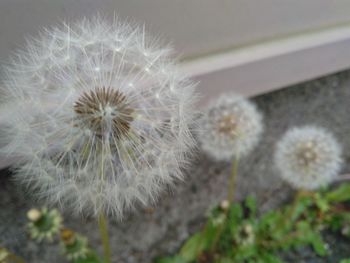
(231, 126)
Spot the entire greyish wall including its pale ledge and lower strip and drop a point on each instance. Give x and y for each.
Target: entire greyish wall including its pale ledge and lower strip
(248, 46)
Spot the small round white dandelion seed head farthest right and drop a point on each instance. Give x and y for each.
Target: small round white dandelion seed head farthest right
(308, 157)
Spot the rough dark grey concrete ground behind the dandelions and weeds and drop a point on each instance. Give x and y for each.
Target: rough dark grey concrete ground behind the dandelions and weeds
(144, 233)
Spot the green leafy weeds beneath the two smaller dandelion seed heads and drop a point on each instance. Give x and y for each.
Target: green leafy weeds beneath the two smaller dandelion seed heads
(245, 237)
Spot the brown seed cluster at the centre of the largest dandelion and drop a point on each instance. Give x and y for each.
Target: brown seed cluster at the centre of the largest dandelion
(104, 111)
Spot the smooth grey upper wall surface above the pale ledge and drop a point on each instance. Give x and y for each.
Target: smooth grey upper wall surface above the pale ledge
(195, 26)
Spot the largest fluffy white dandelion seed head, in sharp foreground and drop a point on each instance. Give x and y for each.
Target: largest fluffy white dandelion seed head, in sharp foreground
(101, 117)
